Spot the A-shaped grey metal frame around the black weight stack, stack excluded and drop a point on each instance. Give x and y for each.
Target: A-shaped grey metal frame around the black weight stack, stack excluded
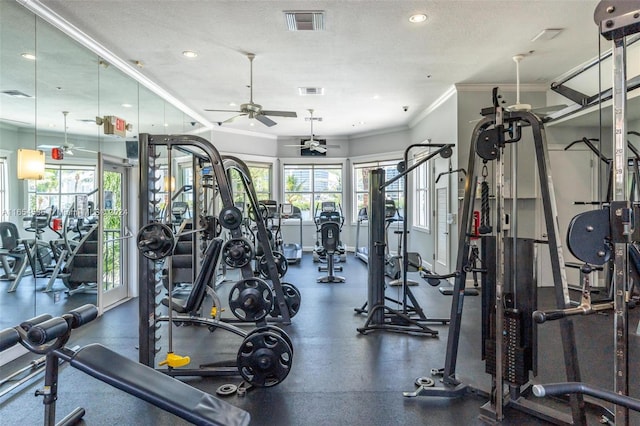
(488, 140)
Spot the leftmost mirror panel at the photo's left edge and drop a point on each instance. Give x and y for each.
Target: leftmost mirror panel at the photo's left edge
(17, 130)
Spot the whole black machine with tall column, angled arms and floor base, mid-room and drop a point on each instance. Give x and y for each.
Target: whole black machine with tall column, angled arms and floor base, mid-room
(411, 318)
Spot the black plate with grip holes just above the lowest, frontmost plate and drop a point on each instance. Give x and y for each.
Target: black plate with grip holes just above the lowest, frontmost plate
(251, 299)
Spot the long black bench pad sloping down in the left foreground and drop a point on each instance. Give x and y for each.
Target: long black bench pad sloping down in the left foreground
(161, 390)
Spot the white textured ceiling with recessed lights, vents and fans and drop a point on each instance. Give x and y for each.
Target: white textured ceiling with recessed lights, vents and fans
(370, 59)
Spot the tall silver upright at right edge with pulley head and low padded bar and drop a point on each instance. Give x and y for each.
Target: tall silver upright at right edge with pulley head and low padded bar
(616, 20)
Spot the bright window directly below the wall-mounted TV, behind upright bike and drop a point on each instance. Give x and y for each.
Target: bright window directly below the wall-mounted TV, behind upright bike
(307, 185)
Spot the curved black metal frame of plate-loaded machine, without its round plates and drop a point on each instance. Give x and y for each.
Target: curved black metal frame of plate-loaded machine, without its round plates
(149, 273)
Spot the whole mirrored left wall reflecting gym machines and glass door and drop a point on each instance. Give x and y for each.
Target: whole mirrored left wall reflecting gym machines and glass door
(67, 226)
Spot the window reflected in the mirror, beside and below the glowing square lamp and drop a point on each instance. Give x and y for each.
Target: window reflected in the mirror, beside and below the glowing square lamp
(60, 186)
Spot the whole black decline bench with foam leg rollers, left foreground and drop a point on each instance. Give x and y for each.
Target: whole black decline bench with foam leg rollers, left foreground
(47, 335)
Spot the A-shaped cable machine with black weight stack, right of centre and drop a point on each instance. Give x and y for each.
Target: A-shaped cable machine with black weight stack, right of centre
(509, 293)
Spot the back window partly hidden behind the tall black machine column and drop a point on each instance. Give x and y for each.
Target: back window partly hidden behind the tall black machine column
(361, 173)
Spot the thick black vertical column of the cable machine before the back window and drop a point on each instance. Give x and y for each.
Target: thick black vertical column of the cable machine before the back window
(376, 247)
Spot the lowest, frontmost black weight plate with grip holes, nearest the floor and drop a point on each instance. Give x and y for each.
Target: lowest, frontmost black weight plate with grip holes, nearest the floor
(264, 359)
